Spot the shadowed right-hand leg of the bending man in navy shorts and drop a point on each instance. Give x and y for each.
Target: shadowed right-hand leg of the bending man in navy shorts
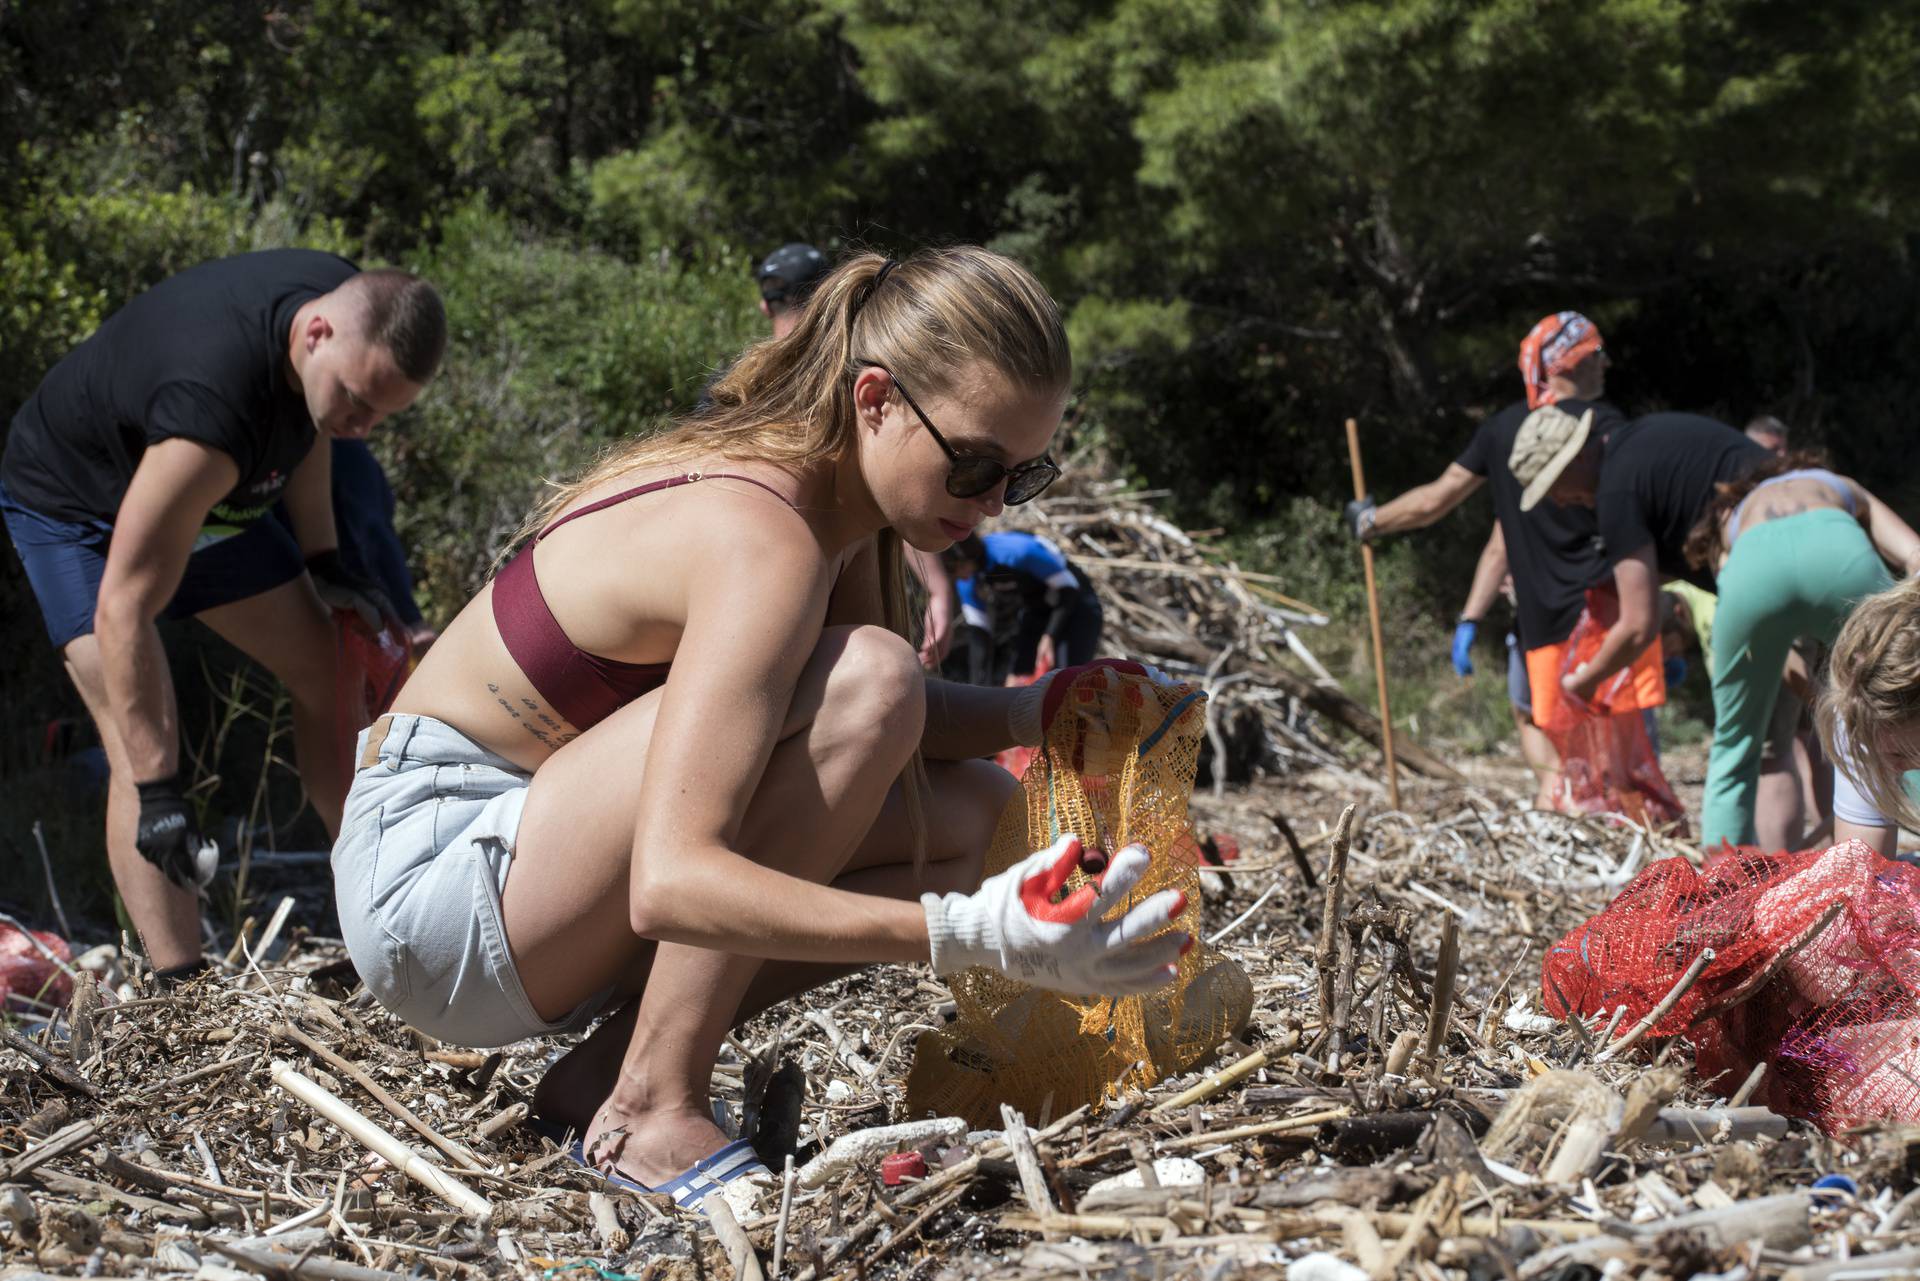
(289, 633)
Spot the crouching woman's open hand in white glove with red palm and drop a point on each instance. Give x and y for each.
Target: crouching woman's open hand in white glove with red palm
(1015, 927)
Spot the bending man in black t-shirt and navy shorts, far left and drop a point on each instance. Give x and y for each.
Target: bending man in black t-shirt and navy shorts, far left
(137, 485)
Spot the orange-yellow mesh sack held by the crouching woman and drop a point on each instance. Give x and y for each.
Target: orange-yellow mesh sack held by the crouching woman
(1113, 786)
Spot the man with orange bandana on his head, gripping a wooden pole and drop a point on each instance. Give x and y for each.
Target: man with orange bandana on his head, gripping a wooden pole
(1552, 556)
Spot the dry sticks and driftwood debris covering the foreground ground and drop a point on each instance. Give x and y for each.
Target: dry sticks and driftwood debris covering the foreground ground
(1397, 1107)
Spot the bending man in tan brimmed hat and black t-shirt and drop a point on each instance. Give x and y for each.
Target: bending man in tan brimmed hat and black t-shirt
(1648, 485)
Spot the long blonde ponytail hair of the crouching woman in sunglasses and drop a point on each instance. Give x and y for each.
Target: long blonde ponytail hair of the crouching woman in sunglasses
(790, 400)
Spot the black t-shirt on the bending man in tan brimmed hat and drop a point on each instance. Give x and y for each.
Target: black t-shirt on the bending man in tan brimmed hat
(1656, 479)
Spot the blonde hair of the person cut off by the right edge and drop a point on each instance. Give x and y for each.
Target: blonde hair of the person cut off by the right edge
(1873, 685)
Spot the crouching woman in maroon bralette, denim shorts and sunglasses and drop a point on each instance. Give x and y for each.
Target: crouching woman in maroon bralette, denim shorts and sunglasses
(683, 735)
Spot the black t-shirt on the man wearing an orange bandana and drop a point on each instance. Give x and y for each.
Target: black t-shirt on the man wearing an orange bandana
(1552, 552)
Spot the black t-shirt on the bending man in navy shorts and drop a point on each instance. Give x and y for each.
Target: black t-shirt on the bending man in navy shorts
(199, 356)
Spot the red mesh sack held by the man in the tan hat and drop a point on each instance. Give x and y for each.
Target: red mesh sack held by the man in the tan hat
(1608, 761)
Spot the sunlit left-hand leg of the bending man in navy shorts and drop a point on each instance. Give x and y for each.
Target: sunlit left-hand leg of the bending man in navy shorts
(166, 917)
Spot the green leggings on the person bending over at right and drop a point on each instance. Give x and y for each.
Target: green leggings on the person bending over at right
(1794, 577)
